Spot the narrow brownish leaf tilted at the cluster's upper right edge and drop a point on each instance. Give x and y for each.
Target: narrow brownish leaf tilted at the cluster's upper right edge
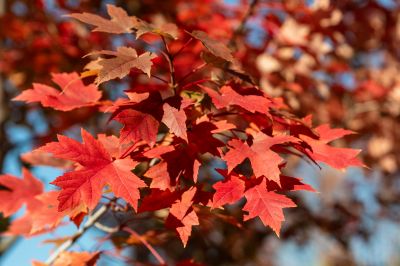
(215, 47)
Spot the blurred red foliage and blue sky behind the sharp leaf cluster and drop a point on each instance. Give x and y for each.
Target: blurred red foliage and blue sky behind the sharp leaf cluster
(336, 60)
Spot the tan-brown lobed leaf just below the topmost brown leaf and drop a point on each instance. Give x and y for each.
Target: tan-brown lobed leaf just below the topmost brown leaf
(125, 58)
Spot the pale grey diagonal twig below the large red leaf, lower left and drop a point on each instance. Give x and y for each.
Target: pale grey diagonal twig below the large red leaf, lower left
(67, 244)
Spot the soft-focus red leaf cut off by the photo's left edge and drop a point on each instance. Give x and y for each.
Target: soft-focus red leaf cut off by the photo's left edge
(15, 192)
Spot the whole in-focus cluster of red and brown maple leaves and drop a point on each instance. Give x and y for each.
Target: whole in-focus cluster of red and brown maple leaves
(170, 129)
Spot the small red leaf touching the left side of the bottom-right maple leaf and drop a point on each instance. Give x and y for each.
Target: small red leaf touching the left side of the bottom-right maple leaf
(228, 191)
